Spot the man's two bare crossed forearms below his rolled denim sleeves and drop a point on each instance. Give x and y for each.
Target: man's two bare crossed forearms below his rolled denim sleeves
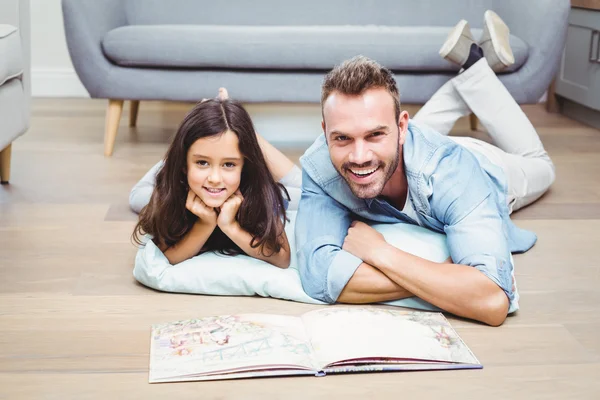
(388, 273)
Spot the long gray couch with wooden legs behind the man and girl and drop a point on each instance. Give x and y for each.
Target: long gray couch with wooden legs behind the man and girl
(278, 51)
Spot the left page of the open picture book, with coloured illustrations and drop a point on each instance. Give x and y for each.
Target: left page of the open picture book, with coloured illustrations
(228, 343)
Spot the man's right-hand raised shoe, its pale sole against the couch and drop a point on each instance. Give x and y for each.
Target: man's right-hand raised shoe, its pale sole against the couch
(495, 42)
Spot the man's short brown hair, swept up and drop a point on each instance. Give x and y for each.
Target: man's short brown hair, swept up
(358, 74)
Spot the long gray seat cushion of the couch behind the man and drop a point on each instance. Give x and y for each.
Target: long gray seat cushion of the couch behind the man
(283, 47)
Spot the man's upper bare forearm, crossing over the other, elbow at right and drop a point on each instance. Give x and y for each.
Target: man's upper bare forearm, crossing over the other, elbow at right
(459, 289)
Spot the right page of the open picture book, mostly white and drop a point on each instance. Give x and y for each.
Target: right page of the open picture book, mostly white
(347, 333)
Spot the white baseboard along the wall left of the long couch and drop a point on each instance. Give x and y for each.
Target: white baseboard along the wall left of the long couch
(56, 82)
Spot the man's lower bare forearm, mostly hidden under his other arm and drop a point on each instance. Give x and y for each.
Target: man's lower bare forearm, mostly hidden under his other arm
(369, 285)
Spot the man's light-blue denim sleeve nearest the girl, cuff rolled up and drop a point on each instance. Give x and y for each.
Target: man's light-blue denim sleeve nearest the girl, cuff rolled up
(321, 227)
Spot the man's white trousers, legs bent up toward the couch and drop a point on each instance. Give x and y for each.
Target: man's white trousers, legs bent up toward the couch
(518, 149)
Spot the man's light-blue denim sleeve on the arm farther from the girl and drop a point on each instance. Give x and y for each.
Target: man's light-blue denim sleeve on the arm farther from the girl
(475, 230)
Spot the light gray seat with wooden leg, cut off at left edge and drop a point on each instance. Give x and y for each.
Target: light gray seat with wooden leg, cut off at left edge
(15, 88)
